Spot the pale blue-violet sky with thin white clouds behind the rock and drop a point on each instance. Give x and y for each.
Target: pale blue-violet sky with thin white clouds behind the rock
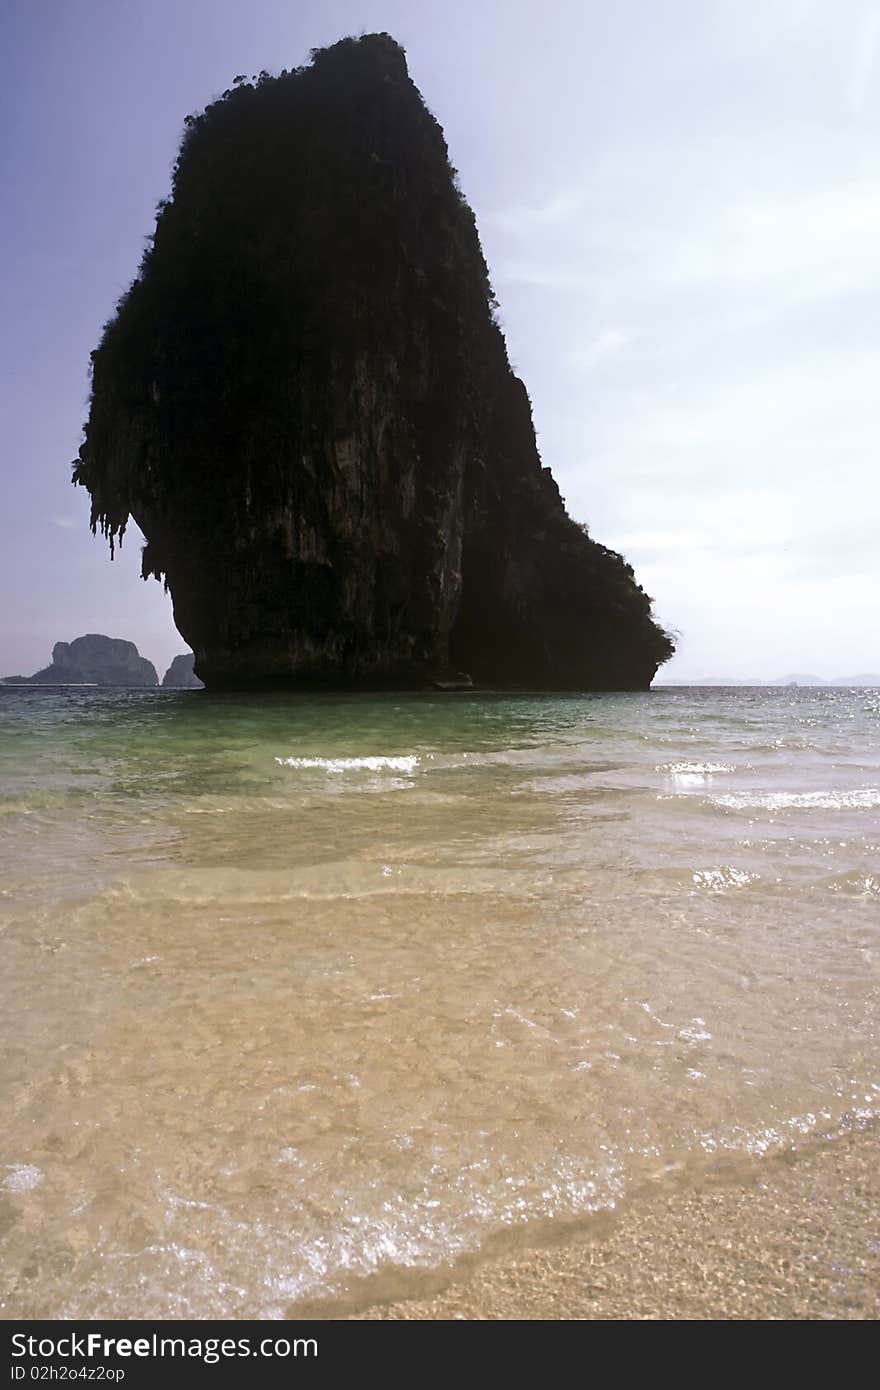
(681, 208)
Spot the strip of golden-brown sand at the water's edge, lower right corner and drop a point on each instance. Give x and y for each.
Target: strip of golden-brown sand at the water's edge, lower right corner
(799, 1239)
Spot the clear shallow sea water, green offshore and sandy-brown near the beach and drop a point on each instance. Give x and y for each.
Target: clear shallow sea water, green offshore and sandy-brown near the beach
(307, 1000)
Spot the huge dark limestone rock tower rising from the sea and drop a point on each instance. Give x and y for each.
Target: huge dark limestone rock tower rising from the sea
(307, 405)
